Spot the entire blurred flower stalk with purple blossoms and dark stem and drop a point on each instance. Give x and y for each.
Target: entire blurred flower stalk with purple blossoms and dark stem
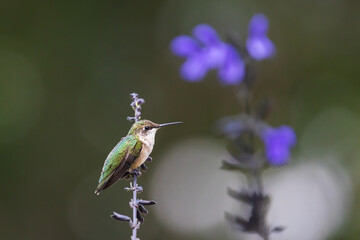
(253, 144)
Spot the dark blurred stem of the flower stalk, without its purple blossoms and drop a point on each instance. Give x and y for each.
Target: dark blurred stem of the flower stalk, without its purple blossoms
(242, 132)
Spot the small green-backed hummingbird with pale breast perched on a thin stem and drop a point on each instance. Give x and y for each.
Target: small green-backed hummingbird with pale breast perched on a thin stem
(130, 153)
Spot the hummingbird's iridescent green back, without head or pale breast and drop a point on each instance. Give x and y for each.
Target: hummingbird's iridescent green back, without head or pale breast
(129, 144)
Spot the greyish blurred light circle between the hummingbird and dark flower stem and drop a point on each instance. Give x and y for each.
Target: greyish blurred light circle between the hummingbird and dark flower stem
(190, 188)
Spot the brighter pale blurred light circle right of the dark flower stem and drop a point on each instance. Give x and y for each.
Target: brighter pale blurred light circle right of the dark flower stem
(310, 199)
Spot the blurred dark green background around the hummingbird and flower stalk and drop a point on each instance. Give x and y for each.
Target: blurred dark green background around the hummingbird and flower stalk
(66, 71)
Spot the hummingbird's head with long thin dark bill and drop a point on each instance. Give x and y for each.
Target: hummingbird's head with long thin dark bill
(147, 128)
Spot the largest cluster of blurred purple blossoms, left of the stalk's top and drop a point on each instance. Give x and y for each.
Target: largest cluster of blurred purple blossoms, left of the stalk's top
(205, 51)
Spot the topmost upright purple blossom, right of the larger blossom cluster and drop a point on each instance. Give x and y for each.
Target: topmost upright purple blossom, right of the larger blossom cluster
(258, 45)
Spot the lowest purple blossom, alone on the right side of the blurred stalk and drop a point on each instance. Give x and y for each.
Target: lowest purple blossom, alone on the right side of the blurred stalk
(278, 142)
